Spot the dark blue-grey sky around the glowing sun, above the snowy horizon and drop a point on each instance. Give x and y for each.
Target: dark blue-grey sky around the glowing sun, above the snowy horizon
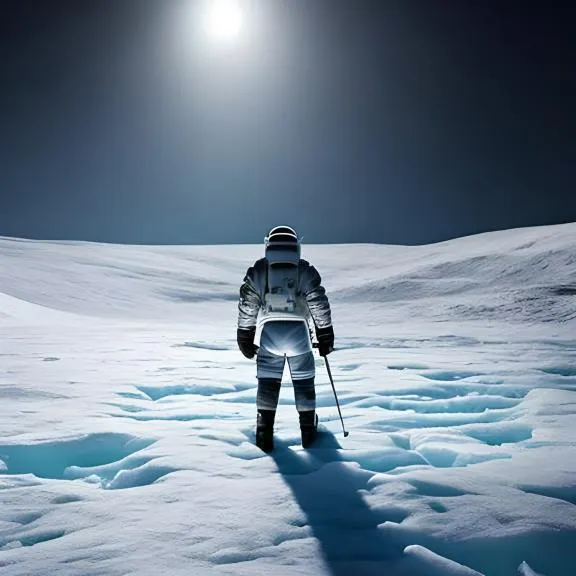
(388, 121)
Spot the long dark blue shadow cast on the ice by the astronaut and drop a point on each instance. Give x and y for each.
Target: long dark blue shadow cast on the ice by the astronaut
(327, 490)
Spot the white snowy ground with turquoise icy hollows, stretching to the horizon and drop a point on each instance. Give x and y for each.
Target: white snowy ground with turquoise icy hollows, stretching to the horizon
(127, 414)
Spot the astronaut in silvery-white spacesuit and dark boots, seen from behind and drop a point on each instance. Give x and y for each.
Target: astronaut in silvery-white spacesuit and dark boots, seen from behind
(282, 300)
